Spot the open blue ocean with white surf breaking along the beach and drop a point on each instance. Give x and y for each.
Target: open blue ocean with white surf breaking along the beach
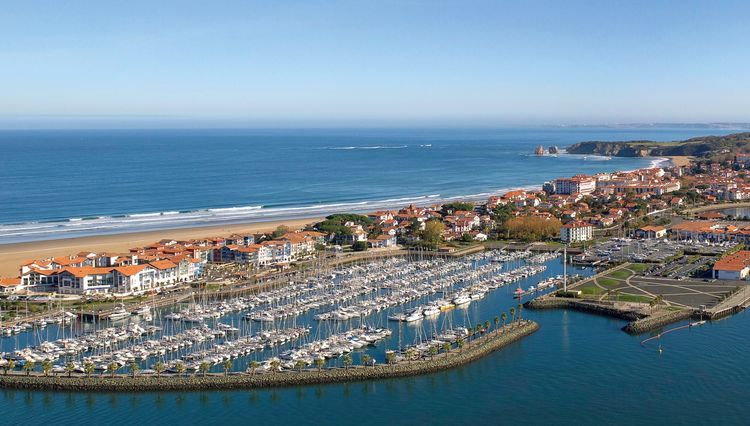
(69, 183)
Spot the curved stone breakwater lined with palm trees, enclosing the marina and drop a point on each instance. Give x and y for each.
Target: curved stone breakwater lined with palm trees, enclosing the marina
(473, 351)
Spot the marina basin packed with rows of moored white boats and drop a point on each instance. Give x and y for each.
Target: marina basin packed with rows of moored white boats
(387, 310)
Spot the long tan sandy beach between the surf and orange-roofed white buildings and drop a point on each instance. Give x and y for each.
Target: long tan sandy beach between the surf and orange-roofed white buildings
(11, 255)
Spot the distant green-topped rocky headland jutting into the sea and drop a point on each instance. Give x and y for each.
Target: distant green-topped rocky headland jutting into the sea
(704, 146)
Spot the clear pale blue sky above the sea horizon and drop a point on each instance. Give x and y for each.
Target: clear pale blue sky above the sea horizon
(329, 63)
